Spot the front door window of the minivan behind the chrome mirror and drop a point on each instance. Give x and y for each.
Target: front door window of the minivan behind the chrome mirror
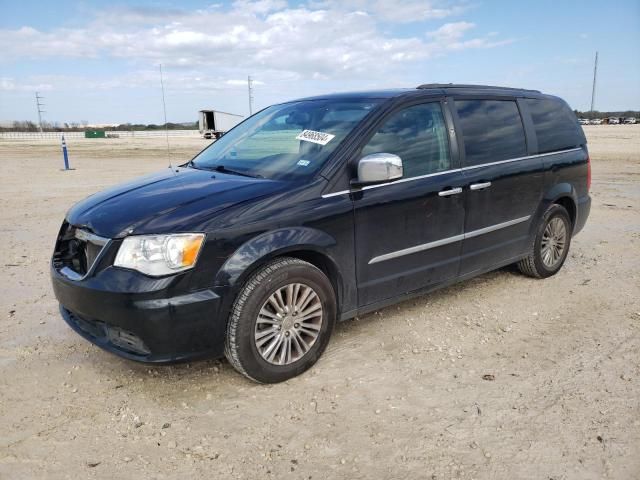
(418, 136)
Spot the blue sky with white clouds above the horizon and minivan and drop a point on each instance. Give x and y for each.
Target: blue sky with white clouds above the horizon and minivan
(99, 61)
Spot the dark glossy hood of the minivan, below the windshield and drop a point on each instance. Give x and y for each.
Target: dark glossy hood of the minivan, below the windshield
(171, 200)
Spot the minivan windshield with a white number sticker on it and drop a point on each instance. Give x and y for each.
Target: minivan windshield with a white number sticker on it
(285, 142)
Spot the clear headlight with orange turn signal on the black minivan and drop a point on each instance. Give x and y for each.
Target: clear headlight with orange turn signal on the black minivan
(158, 255)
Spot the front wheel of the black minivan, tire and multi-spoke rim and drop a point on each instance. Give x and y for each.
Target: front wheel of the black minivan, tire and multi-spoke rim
(254, 314)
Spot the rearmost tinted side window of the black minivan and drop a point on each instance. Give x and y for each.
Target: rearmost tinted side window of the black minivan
(555, 124)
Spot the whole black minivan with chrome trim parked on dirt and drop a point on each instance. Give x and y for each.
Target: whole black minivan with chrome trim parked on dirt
(318, 210)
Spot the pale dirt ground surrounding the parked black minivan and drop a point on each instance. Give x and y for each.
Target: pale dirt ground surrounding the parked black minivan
(398, 394)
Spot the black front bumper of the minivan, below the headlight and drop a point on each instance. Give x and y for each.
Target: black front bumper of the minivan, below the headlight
(142, 318)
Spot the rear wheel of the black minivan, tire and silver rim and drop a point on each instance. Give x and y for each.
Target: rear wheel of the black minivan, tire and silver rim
(537, 263)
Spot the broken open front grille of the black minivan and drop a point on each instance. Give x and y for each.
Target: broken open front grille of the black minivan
(76, 251)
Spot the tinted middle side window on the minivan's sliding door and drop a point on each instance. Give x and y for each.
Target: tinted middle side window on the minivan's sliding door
(492, 130)
